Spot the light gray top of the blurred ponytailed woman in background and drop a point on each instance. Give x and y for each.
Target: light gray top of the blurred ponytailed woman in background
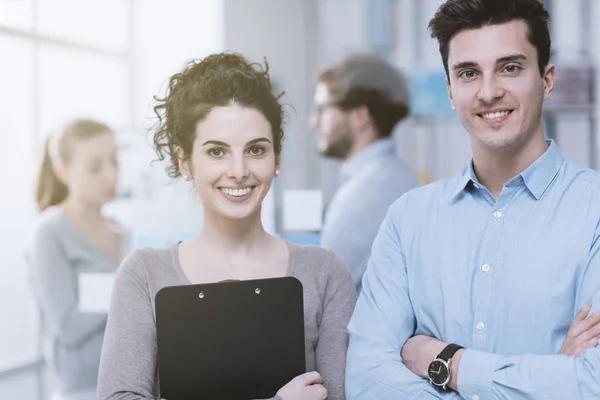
(72, 340)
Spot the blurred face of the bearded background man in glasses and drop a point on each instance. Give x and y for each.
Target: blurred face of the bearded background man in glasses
(332, 124)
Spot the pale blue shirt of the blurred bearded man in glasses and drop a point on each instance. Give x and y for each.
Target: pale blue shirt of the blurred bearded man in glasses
(371, 181)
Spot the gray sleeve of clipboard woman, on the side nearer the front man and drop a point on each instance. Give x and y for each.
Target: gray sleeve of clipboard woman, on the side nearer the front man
(338, 304)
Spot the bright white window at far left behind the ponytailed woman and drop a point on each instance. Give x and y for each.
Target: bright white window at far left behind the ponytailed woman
(66, 59)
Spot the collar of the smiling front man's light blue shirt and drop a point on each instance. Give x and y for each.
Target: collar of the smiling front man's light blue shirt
(537, 177)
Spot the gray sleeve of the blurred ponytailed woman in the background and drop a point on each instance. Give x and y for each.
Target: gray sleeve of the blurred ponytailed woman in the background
(55, 285)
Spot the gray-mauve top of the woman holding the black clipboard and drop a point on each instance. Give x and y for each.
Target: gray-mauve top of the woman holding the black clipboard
(128, 367)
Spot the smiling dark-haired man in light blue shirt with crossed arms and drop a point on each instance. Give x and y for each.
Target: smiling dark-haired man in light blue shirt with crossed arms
(473, 282)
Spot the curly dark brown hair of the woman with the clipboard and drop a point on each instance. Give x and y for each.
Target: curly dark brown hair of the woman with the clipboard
(217, 80)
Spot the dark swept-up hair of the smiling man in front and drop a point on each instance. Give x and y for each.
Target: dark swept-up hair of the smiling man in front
(455, 16)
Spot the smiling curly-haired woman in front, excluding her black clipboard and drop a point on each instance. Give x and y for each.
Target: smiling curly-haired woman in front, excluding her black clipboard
(221, 127)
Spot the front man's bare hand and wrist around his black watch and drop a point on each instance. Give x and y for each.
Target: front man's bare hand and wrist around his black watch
(419, 351)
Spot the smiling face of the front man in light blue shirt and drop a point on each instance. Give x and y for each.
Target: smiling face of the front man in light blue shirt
(495, 85)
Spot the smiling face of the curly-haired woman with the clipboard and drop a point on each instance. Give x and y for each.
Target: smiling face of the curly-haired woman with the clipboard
(233, 161)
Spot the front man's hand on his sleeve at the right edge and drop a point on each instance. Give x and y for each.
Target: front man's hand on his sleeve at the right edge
(583, 333)
